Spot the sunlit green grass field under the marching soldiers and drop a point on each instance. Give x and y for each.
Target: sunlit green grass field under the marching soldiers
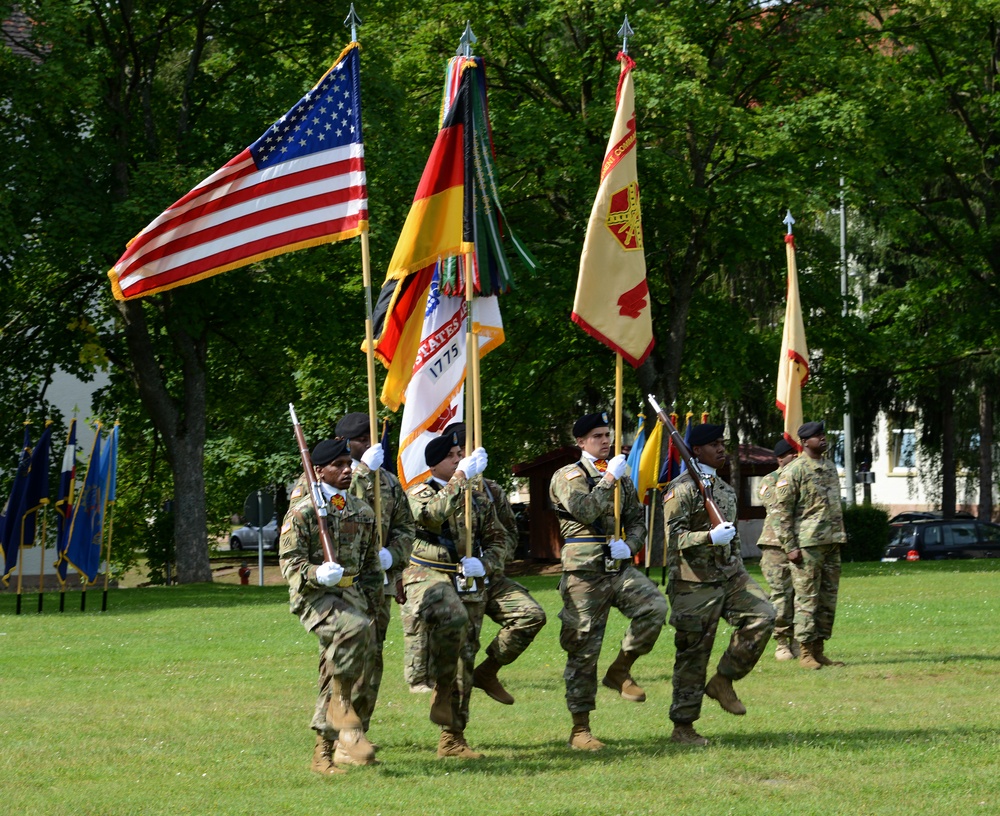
(197, 699)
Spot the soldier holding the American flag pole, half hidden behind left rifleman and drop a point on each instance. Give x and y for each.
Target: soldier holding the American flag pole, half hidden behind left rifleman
(396, 521)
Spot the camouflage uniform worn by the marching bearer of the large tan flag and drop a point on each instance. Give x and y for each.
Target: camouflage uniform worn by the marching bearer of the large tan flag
(585, 503)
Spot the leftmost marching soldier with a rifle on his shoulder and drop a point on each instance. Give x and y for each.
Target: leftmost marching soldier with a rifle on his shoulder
(331, 600)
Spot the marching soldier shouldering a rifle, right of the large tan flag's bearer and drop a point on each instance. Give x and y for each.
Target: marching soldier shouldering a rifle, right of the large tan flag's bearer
(707, 581)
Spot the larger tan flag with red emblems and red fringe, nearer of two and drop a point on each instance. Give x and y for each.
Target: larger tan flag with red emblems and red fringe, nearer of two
(612, 295)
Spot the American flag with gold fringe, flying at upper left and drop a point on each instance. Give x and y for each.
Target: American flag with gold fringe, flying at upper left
(300, 184)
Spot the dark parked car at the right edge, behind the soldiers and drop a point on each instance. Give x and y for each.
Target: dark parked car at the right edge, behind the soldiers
(935, 539)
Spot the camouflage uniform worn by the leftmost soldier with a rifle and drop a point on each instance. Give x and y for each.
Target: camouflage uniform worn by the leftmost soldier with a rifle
(340, 616)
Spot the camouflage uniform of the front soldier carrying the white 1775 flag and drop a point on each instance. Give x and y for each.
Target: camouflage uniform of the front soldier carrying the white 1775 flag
(452, 621)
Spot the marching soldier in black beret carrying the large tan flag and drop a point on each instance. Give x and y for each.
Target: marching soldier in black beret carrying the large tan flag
(598, 574)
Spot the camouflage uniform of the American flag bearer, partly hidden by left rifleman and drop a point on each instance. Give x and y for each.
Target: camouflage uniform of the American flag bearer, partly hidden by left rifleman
(398, 530)
